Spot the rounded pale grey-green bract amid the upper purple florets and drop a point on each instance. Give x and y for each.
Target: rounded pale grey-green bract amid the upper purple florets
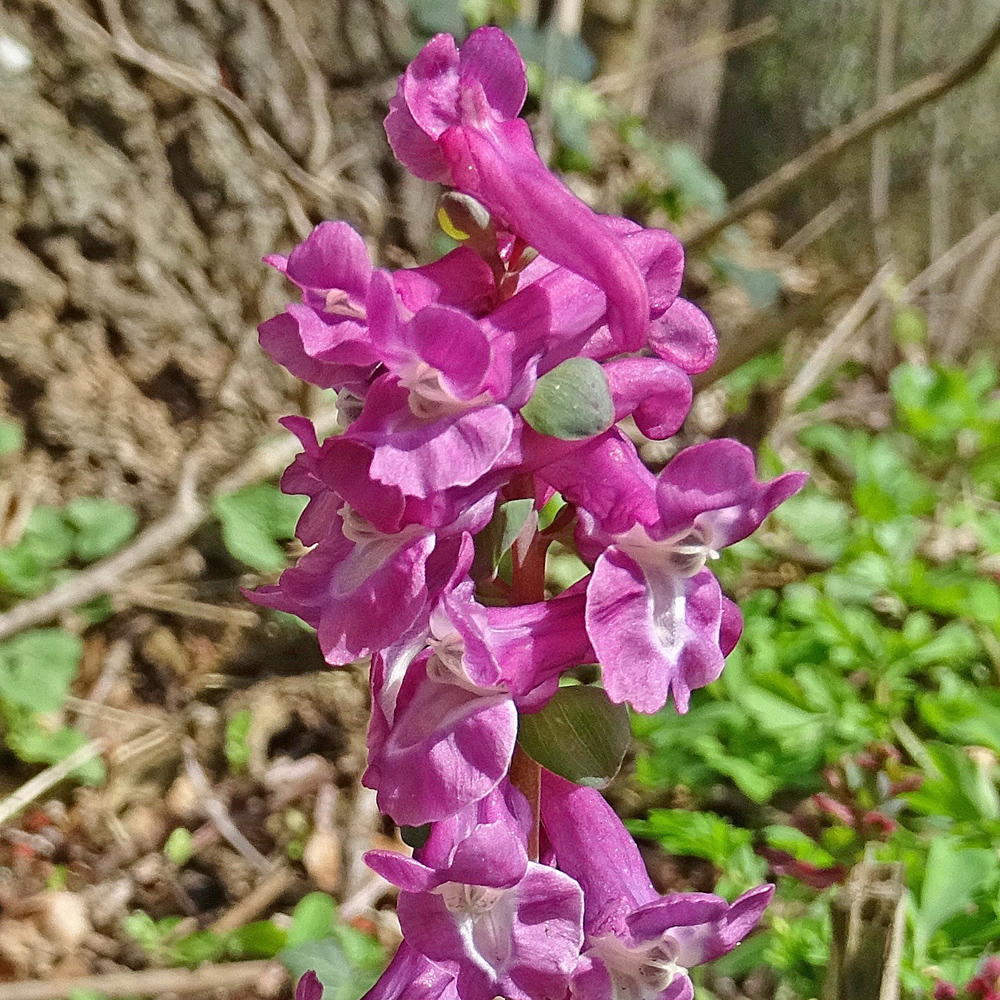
(572, 402)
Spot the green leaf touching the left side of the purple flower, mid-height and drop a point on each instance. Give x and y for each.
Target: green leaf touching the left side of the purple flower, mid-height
(254, 520)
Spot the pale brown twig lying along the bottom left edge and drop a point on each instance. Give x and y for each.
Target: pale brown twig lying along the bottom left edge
(146, 982)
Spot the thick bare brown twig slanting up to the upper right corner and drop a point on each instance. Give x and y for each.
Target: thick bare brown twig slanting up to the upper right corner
(902, 104)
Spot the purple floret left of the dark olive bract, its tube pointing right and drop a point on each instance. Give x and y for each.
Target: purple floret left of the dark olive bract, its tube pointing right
(444, 726)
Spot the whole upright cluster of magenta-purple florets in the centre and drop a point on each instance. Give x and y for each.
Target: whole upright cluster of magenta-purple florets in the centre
(447, 377)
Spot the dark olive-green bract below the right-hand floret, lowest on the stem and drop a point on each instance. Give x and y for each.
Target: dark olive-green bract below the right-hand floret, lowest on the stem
(580, 735)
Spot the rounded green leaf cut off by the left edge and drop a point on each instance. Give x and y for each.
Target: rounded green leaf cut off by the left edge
(36, 668)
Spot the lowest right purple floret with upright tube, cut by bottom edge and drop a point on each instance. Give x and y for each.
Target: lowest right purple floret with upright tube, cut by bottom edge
(638, 945)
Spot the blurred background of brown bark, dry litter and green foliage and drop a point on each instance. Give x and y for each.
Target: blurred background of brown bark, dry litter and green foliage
(201, 803)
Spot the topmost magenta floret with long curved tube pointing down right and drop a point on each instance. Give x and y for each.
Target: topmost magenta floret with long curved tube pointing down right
(453, 120)
